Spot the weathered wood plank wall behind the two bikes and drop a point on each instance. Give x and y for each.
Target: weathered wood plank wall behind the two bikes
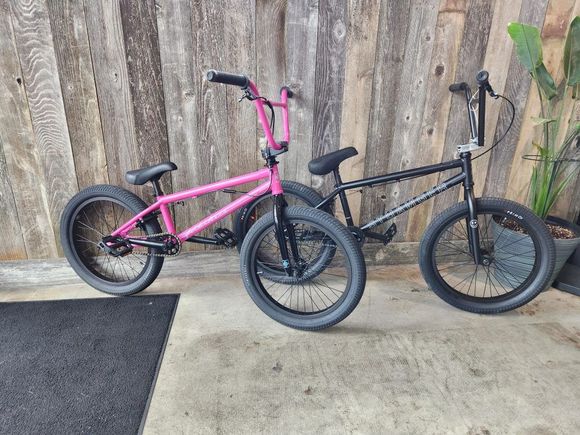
(92, 89)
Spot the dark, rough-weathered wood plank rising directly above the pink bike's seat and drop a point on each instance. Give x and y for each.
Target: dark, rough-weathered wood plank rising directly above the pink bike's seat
(145, 84)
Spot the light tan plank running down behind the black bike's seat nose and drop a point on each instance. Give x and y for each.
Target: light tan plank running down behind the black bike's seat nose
(361, 42)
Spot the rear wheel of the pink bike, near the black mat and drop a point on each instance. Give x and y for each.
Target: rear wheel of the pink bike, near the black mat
(93, 213)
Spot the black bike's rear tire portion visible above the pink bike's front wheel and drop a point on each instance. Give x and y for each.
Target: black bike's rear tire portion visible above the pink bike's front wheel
(294, 193)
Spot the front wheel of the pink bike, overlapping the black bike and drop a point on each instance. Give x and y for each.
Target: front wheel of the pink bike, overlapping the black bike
(327, 296)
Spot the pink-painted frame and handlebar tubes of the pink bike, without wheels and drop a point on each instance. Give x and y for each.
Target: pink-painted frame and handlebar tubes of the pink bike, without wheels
(273, 184)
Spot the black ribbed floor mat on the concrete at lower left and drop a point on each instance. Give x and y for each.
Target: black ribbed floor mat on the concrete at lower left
(81, 366)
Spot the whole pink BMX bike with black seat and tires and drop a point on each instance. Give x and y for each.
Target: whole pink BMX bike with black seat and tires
(300, 265)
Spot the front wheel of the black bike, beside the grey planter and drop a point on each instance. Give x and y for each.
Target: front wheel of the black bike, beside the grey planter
(515, 268)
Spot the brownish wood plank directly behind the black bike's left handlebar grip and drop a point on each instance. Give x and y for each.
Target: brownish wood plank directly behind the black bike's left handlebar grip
(478, 16)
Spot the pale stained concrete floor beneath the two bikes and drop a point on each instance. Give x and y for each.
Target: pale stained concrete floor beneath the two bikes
(403, 362)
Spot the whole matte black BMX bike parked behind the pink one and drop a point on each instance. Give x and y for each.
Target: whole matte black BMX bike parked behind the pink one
(484, 255)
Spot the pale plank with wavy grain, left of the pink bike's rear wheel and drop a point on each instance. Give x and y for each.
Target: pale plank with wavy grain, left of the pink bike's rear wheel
(39, 69)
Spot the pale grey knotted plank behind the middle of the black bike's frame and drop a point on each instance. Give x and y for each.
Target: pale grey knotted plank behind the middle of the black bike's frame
(406, 150)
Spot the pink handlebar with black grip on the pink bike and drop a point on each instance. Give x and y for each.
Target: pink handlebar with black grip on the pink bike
(251, 92)
